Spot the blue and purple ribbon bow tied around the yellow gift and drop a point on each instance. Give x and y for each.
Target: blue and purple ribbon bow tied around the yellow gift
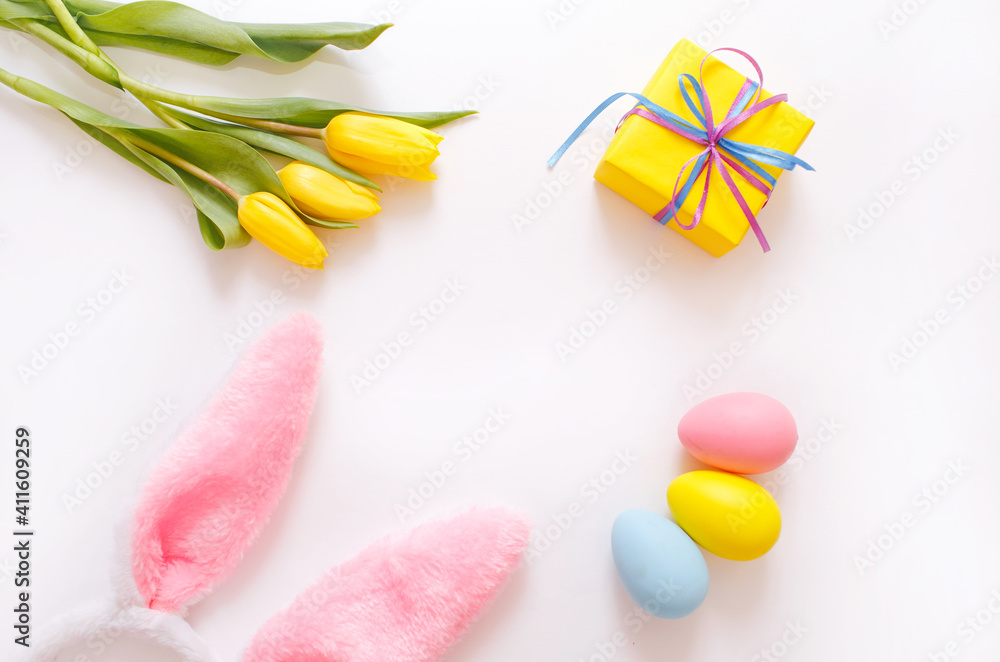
(743, 158)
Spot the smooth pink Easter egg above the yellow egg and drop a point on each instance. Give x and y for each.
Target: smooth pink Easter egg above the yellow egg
(745, 433)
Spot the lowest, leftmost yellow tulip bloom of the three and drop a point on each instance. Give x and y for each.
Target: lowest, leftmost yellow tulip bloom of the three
(270, 221)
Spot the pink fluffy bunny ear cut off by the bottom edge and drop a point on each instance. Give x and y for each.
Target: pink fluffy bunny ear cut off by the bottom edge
(404, 600)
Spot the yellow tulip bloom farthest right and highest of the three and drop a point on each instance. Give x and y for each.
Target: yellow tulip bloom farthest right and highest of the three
(382, 145)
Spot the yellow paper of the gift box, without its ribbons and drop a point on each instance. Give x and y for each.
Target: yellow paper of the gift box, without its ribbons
(644, 159)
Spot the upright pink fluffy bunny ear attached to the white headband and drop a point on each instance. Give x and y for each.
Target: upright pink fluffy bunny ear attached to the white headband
(211, 494)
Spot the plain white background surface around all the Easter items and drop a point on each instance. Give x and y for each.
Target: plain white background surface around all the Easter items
(878, 100)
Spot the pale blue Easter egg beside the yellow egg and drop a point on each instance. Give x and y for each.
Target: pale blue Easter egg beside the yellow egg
(661, 567)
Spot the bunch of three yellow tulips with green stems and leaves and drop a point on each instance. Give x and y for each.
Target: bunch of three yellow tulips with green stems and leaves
(212, 148)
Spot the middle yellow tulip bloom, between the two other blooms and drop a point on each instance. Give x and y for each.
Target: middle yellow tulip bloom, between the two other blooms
(326, 196)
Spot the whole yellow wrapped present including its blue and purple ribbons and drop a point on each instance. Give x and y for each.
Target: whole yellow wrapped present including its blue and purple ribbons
(703, 149)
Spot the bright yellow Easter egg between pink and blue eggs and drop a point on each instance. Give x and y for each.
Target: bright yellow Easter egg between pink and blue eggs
(729, 515)
